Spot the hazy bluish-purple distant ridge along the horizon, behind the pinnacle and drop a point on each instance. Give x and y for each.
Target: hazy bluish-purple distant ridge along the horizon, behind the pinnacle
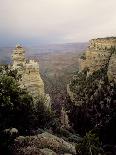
(5, 52)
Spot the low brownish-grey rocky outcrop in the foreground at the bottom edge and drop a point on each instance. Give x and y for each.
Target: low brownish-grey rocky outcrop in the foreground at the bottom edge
(42, 144)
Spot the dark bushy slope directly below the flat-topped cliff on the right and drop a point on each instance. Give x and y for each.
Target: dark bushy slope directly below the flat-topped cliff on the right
(95, 105)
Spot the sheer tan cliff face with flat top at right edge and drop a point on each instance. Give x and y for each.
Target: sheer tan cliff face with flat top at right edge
(100, 52)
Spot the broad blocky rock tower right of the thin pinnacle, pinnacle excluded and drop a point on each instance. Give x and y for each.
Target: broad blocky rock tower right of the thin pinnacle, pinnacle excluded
(31, 79)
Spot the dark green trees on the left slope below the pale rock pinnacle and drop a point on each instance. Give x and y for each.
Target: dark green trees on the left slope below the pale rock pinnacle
(18, 110)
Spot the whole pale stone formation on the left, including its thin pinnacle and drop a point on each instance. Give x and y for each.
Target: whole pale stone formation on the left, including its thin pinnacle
(30, 76)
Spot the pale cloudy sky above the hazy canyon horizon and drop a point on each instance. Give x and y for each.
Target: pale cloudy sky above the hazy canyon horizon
(34, 22)
